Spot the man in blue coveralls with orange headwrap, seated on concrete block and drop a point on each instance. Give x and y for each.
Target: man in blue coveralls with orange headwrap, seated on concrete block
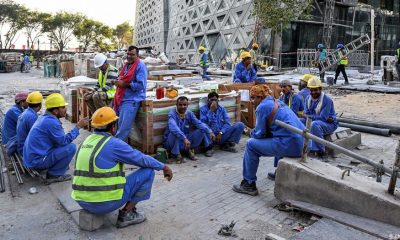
(267, 138)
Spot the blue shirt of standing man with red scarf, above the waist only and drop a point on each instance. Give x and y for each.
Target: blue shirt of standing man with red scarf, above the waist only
(136, 92)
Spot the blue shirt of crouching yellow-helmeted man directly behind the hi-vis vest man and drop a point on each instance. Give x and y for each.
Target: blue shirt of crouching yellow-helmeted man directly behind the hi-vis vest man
(46, 134)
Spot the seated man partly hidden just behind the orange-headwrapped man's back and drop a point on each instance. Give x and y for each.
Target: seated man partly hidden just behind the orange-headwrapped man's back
(291, 99)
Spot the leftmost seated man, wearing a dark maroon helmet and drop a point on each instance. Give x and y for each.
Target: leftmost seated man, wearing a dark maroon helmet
(9, 131)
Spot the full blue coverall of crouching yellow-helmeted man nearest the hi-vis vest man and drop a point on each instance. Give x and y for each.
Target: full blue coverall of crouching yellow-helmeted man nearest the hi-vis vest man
(48, 147)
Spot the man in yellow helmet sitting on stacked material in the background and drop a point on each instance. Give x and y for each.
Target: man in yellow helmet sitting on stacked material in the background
(244, 71)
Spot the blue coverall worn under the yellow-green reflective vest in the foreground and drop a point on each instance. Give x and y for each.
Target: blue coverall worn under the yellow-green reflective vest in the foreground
(138, 184)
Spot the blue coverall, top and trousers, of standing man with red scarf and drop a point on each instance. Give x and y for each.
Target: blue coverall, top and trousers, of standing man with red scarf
(134, 95)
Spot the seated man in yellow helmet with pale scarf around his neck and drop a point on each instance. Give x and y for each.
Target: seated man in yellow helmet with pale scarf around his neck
(320, 108)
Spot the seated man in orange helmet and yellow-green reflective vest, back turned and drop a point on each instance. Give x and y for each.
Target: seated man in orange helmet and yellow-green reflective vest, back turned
(99, 184)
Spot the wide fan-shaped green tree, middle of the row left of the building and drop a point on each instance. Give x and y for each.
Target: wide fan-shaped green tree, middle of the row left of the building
(60, 28)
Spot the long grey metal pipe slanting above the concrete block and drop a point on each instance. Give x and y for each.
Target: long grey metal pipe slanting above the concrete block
(334, 146)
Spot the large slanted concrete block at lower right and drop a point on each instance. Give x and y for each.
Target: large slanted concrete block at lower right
(319, 183)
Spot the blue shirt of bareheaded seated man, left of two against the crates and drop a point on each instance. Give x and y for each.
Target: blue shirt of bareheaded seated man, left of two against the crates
(181, 127)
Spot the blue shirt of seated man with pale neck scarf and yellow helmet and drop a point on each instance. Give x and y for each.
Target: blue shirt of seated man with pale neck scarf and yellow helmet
(327, 109)
